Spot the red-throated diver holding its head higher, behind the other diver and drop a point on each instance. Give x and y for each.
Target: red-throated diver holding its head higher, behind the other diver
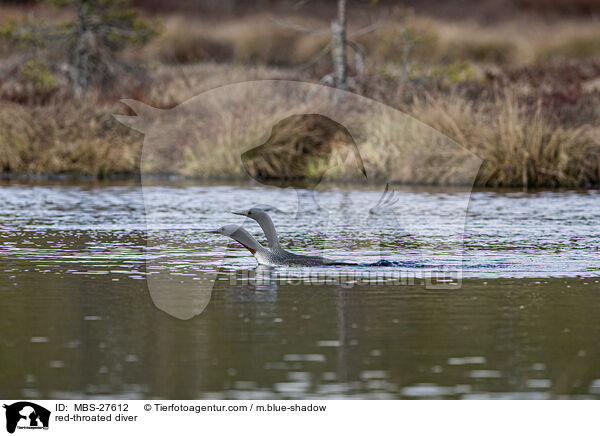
(266, 223)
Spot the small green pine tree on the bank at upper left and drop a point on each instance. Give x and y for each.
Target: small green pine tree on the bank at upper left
(80, 49)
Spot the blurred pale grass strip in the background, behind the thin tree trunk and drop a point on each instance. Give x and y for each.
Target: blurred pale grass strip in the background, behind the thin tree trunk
(263, 39)
